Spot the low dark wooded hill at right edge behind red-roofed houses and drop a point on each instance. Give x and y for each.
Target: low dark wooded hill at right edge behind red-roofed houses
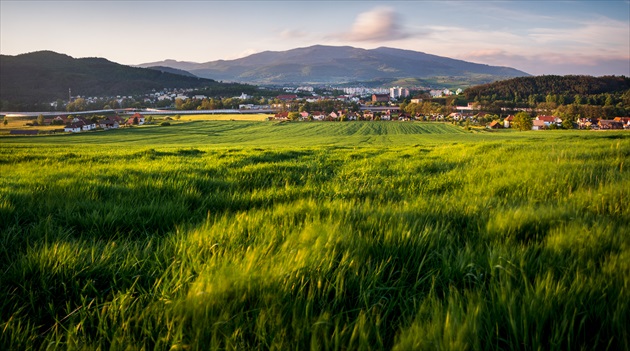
(522, 87)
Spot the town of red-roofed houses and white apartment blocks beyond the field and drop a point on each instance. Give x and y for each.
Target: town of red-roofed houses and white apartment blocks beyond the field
(357, 104)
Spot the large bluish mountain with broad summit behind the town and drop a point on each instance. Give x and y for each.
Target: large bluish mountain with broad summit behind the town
(338, 64)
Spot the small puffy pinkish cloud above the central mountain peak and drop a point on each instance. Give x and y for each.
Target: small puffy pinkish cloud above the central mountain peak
(379, 24)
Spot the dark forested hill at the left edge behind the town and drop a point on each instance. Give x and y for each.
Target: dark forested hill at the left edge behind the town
(47, 76)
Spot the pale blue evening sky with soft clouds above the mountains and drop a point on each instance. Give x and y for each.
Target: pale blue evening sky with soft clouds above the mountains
(535, 36)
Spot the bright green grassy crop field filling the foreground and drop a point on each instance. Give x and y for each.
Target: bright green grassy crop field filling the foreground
(243, 235)
